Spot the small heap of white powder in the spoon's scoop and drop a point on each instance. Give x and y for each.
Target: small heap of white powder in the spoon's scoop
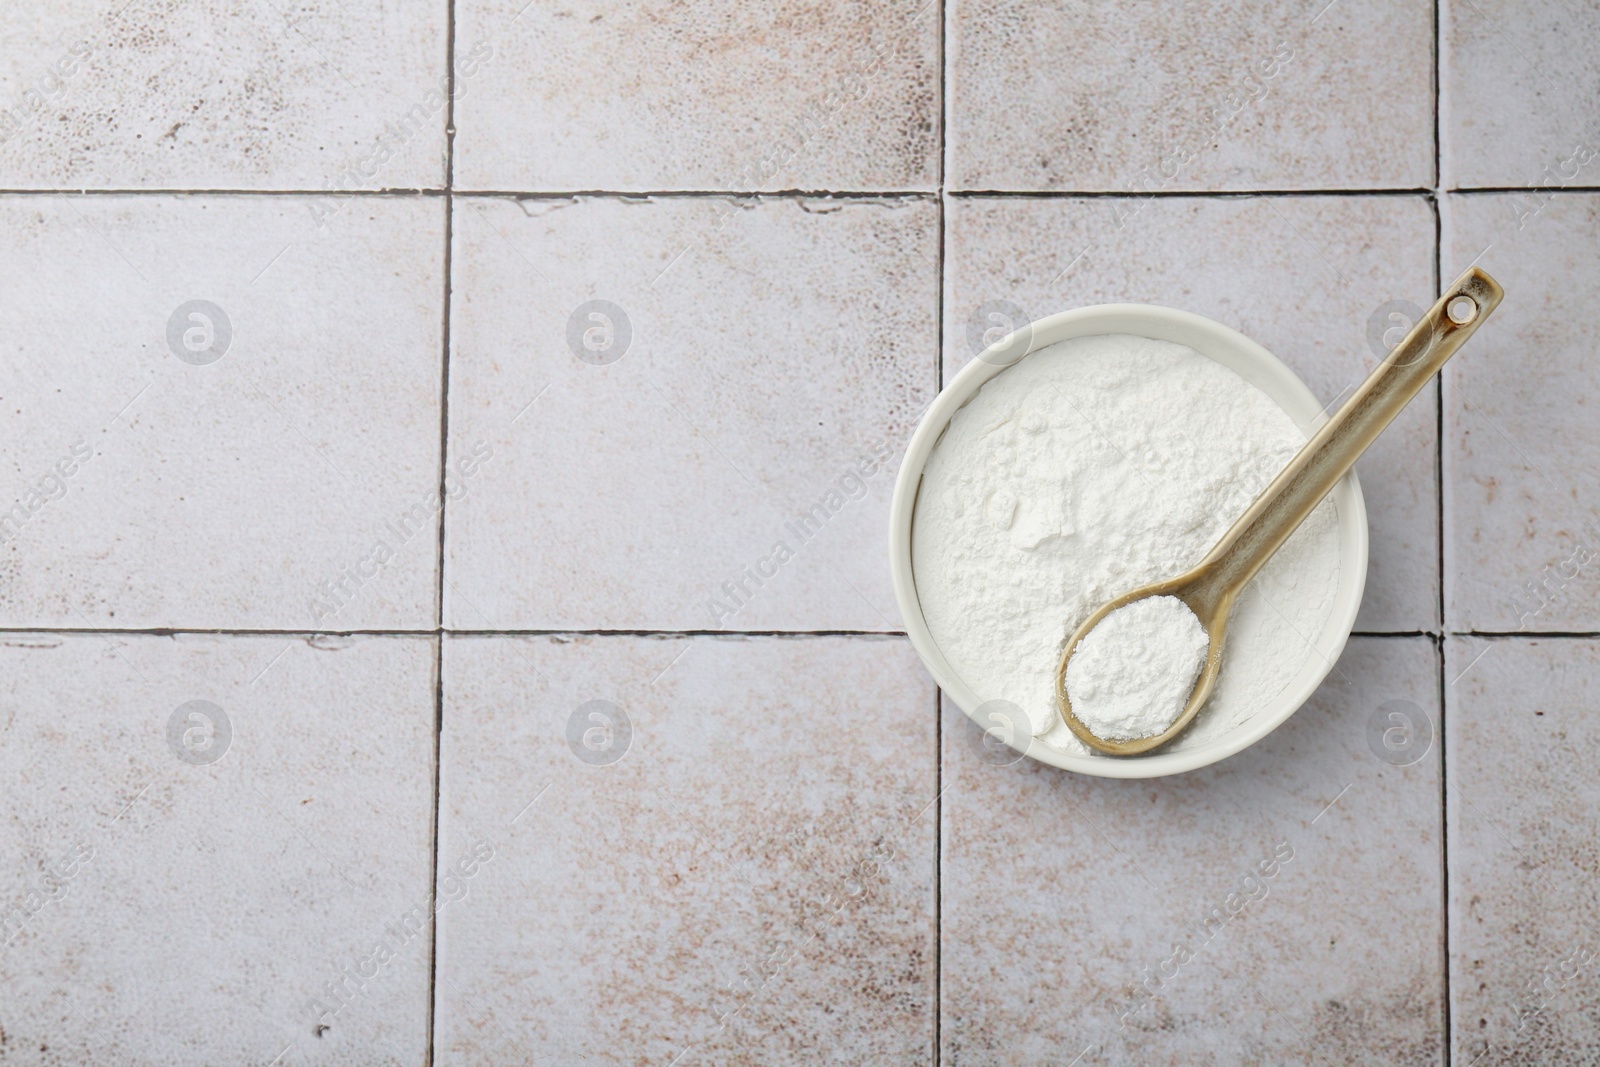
(1132, 674)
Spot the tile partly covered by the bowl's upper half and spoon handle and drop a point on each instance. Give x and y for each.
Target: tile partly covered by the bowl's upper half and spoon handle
(1306, 278)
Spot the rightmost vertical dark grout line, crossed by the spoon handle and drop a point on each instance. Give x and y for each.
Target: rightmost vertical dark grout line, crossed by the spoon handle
(1439, 502)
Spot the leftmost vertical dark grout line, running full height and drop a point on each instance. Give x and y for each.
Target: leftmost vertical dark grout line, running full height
(444, 470)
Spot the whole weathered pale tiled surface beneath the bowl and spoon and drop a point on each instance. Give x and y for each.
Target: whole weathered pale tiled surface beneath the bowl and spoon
(646, 385)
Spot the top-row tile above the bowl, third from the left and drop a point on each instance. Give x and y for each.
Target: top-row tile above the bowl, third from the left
(1153, 97)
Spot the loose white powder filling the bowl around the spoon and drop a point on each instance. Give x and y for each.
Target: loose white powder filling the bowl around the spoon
(1086, 471)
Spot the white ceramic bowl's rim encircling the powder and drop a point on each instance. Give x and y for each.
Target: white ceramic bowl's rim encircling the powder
(1233, 351)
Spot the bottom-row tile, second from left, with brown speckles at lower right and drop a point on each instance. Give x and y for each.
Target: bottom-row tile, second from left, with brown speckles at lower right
(730, 858)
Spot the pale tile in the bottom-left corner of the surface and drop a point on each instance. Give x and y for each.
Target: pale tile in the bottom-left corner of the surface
(180, 890)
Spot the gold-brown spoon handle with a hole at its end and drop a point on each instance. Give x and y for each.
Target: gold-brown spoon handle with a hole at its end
(1340, 442)
